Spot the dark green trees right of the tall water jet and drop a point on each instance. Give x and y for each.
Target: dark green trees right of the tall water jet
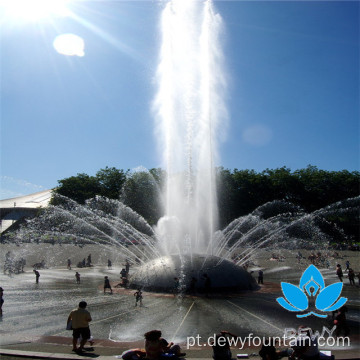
(242, 191)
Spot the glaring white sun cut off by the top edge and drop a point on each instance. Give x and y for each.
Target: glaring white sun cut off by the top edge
(33, 10)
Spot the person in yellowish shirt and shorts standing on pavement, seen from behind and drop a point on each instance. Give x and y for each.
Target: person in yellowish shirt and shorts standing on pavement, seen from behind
(80, 319)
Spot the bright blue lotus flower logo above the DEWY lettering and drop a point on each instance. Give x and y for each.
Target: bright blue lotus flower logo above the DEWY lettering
(311, 285)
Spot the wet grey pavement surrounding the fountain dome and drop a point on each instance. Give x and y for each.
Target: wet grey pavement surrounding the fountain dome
(34, 315)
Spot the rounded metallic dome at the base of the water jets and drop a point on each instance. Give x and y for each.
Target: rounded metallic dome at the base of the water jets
(158, 275)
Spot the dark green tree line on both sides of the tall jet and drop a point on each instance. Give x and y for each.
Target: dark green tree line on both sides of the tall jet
(239, 192)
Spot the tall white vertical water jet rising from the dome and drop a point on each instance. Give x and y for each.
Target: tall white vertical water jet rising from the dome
(190, 117)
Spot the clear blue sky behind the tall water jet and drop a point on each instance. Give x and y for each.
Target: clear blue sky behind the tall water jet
(293, 93)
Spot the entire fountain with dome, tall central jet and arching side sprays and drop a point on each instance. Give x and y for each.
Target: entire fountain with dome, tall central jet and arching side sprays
(190, 116)
